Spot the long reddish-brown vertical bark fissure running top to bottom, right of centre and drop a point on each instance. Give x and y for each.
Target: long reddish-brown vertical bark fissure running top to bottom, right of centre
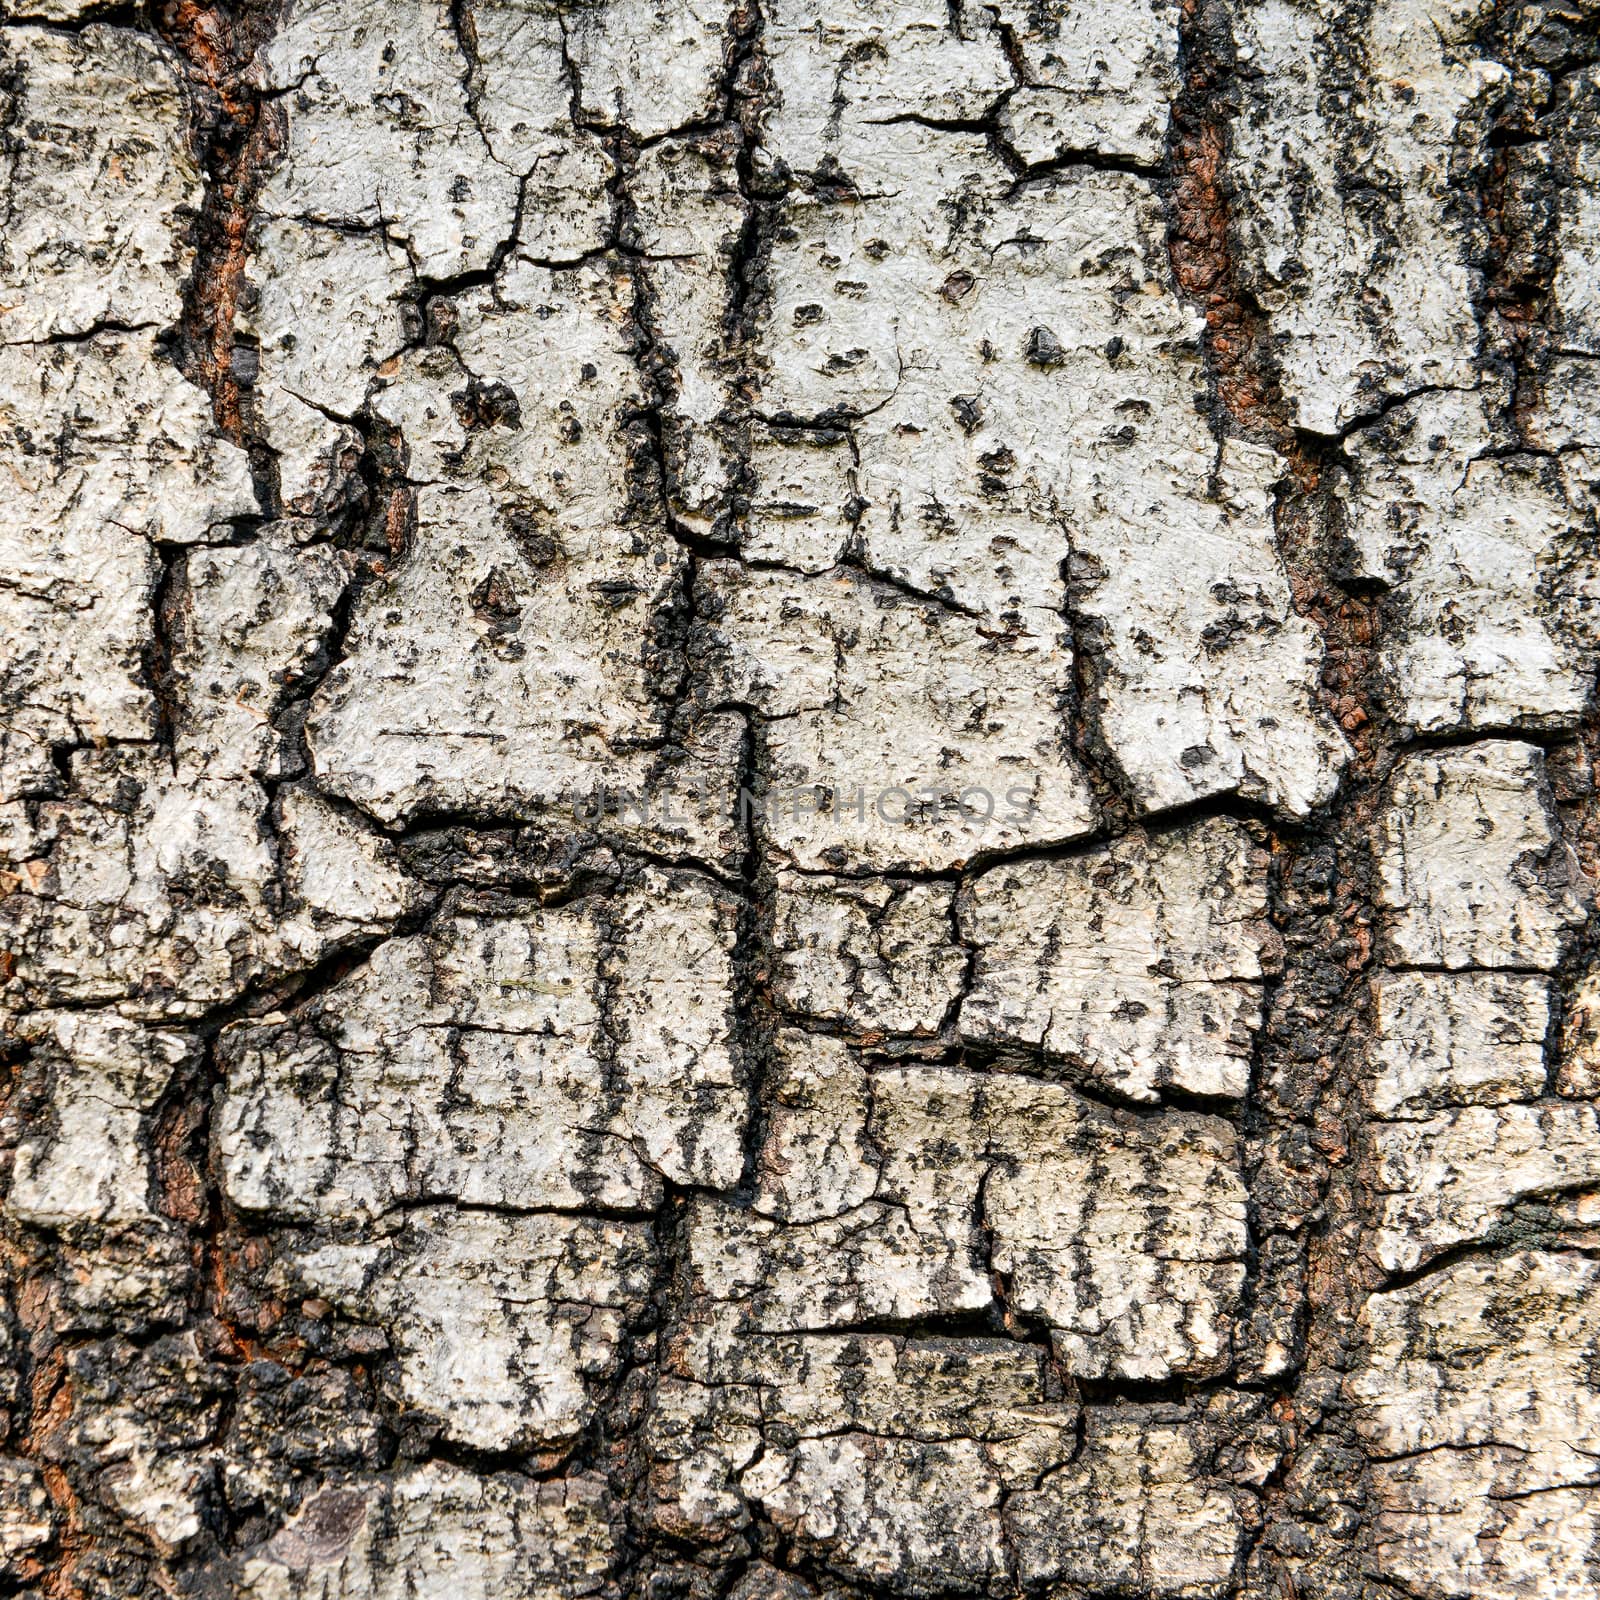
(1303, 1116)
